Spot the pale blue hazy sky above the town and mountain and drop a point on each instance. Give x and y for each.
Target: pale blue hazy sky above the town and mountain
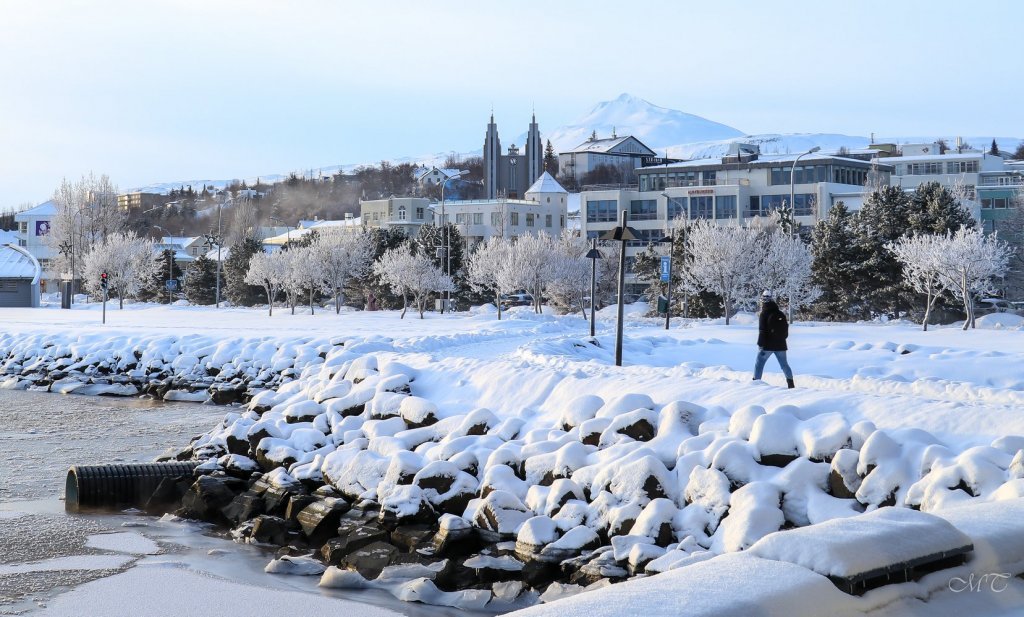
(167, 91)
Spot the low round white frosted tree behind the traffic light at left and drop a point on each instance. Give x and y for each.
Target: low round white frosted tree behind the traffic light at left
(129, 261)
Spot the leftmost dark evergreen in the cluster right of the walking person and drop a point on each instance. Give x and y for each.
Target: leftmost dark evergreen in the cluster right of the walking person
(834, 267)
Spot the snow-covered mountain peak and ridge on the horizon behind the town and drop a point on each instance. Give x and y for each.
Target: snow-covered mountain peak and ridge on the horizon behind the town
(686, 137)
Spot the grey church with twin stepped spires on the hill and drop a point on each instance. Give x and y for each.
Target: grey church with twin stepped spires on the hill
(509, 174)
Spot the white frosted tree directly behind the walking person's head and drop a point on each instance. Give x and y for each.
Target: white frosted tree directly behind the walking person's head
(786, 269)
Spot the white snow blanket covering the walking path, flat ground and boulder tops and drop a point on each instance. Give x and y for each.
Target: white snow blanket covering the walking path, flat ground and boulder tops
(919, 413)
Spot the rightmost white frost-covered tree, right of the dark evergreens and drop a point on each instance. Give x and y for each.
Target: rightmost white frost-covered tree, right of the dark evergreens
(970, 261)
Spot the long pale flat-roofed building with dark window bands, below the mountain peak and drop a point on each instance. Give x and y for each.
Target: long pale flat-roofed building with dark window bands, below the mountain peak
(736, 190)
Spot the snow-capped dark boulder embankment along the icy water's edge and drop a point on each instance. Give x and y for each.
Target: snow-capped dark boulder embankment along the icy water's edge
(492, 507)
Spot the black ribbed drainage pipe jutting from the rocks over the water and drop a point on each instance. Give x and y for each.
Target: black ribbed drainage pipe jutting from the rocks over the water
(100, 487)
